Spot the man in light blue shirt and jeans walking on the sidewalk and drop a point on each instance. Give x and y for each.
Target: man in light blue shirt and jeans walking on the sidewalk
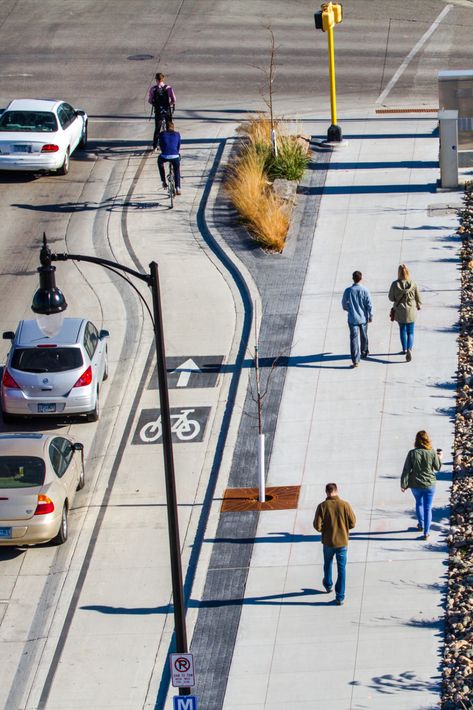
(357, 302)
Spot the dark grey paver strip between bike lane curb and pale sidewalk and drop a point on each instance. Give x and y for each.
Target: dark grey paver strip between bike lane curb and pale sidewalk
(280, 280)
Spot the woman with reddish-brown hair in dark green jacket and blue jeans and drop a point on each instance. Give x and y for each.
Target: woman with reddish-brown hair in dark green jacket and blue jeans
(418, 474)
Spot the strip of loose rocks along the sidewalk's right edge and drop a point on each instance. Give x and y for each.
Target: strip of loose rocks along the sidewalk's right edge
(457, 691)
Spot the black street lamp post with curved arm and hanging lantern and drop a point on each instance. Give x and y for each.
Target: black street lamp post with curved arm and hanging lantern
(49, 301)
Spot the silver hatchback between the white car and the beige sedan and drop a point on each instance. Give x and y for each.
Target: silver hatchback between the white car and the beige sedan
(57, 376)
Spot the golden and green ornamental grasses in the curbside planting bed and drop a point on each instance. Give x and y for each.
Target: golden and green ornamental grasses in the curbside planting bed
(249, 178)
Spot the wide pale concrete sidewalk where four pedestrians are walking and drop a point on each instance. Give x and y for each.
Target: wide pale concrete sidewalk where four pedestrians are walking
(295, 648)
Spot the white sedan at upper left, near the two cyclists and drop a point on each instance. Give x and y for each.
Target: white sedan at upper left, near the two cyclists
(40, 134)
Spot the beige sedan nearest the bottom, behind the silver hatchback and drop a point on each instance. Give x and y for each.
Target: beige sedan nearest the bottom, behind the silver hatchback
(39, 477)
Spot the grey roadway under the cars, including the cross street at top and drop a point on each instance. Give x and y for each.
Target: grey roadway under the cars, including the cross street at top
(215, 54)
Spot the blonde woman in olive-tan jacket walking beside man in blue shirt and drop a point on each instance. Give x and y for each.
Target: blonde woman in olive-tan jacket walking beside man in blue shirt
(404, 293)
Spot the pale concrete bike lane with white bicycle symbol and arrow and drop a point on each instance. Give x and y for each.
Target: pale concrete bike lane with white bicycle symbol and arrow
(122, 623)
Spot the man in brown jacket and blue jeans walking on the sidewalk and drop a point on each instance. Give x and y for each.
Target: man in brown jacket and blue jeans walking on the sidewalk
(334, 518)
